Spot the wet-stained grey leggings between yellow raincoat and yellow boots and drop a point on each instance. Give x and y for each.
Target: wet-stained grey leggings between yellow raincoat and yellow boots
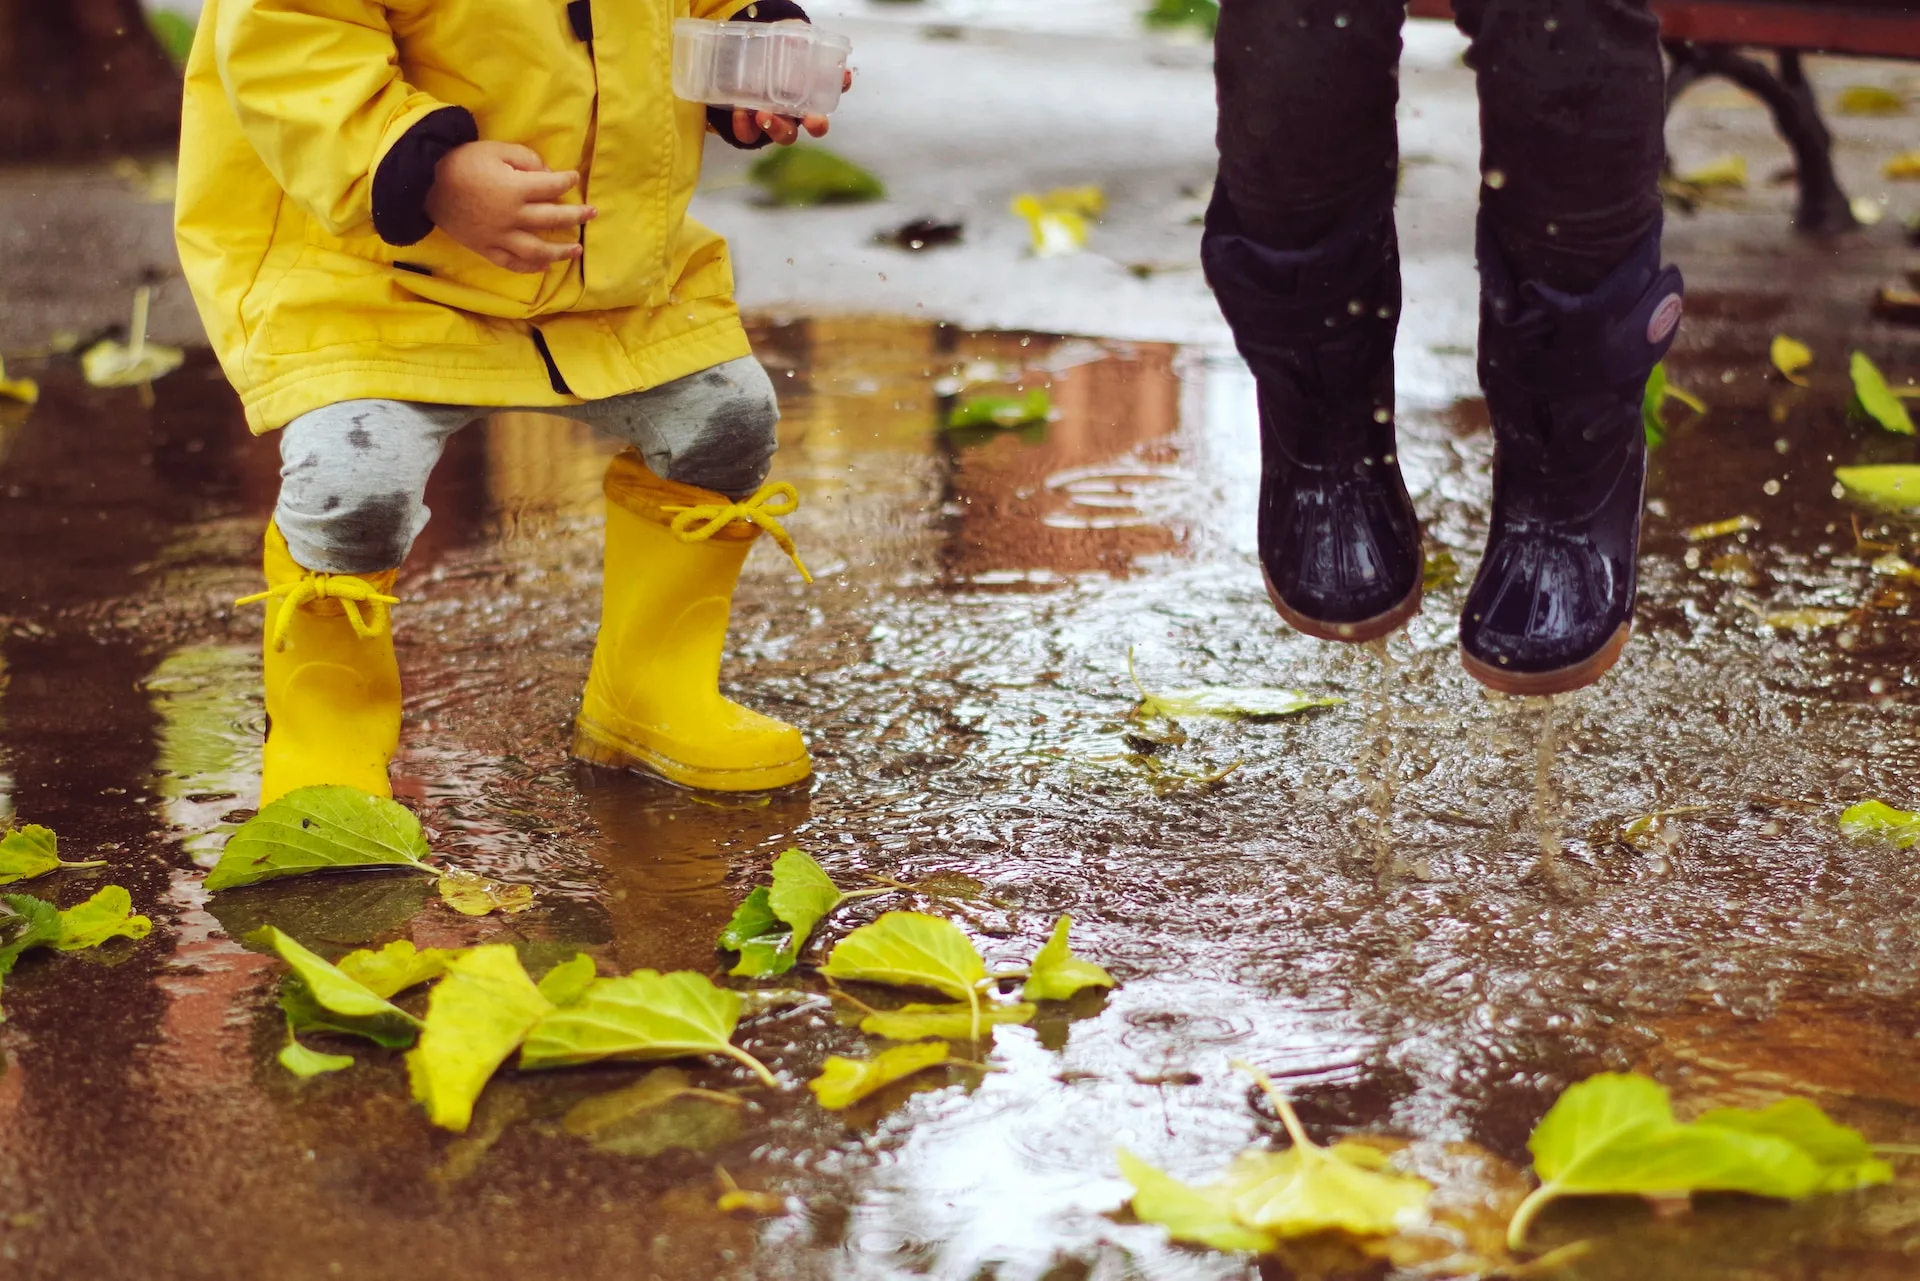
(354, 475)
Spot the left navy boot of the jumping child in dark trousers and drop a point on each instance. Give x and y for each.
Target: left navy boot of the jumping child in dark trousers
(1339, 541)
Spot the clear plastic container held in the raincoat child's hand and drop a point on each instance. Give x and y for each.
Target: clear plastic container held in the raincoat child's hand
(790, 68)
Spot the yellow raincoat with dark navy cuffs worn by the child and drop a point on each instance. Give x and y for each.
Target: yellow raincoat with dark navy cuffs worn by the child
(291, 107)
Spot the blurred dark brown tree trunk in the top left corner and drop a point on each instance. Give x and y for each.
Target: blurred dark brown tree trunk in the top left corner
(82, 80)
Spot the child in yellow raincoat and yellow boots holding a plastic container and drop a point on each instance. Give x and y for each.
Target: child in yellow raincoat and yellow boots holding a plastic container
(402, 216)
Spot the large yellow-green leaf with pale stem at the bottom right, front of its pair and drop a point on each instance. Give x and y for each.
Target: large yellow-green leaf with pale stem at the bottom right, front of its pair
(1616, 1134)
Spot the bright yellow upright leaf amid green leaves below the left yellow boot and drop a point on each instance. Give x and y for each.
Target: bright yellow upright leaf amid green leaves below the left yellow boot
(475, 1019)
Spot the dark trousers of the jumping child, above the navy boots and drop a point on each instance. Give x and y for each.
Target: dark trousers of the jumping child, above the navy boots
(1572, 122)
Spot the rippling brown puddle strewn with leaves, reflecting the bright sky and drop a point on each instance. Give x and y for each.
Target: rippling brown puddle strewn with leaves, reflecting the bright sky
(1358, 907)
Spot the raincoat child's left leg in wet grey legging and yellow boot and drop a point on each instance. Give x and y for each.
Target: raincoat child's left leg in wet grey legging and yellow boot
(350, 508)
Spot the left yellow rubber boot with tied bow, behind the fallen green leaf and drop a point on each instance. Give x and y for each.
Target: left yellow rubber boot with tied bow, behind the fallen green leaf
(333, 685)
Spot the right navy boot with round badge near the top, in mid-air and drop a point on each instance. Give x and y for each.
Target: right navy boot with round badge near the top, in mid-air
(1564, 377)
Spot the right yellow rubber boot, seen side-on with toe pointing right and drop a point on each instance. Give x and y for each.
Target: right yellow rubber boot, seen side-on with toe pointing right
(654, 700)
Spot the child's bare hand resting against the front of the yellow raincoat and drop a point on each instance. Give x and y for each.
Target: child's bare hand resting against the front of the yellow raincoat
(498, 201)
